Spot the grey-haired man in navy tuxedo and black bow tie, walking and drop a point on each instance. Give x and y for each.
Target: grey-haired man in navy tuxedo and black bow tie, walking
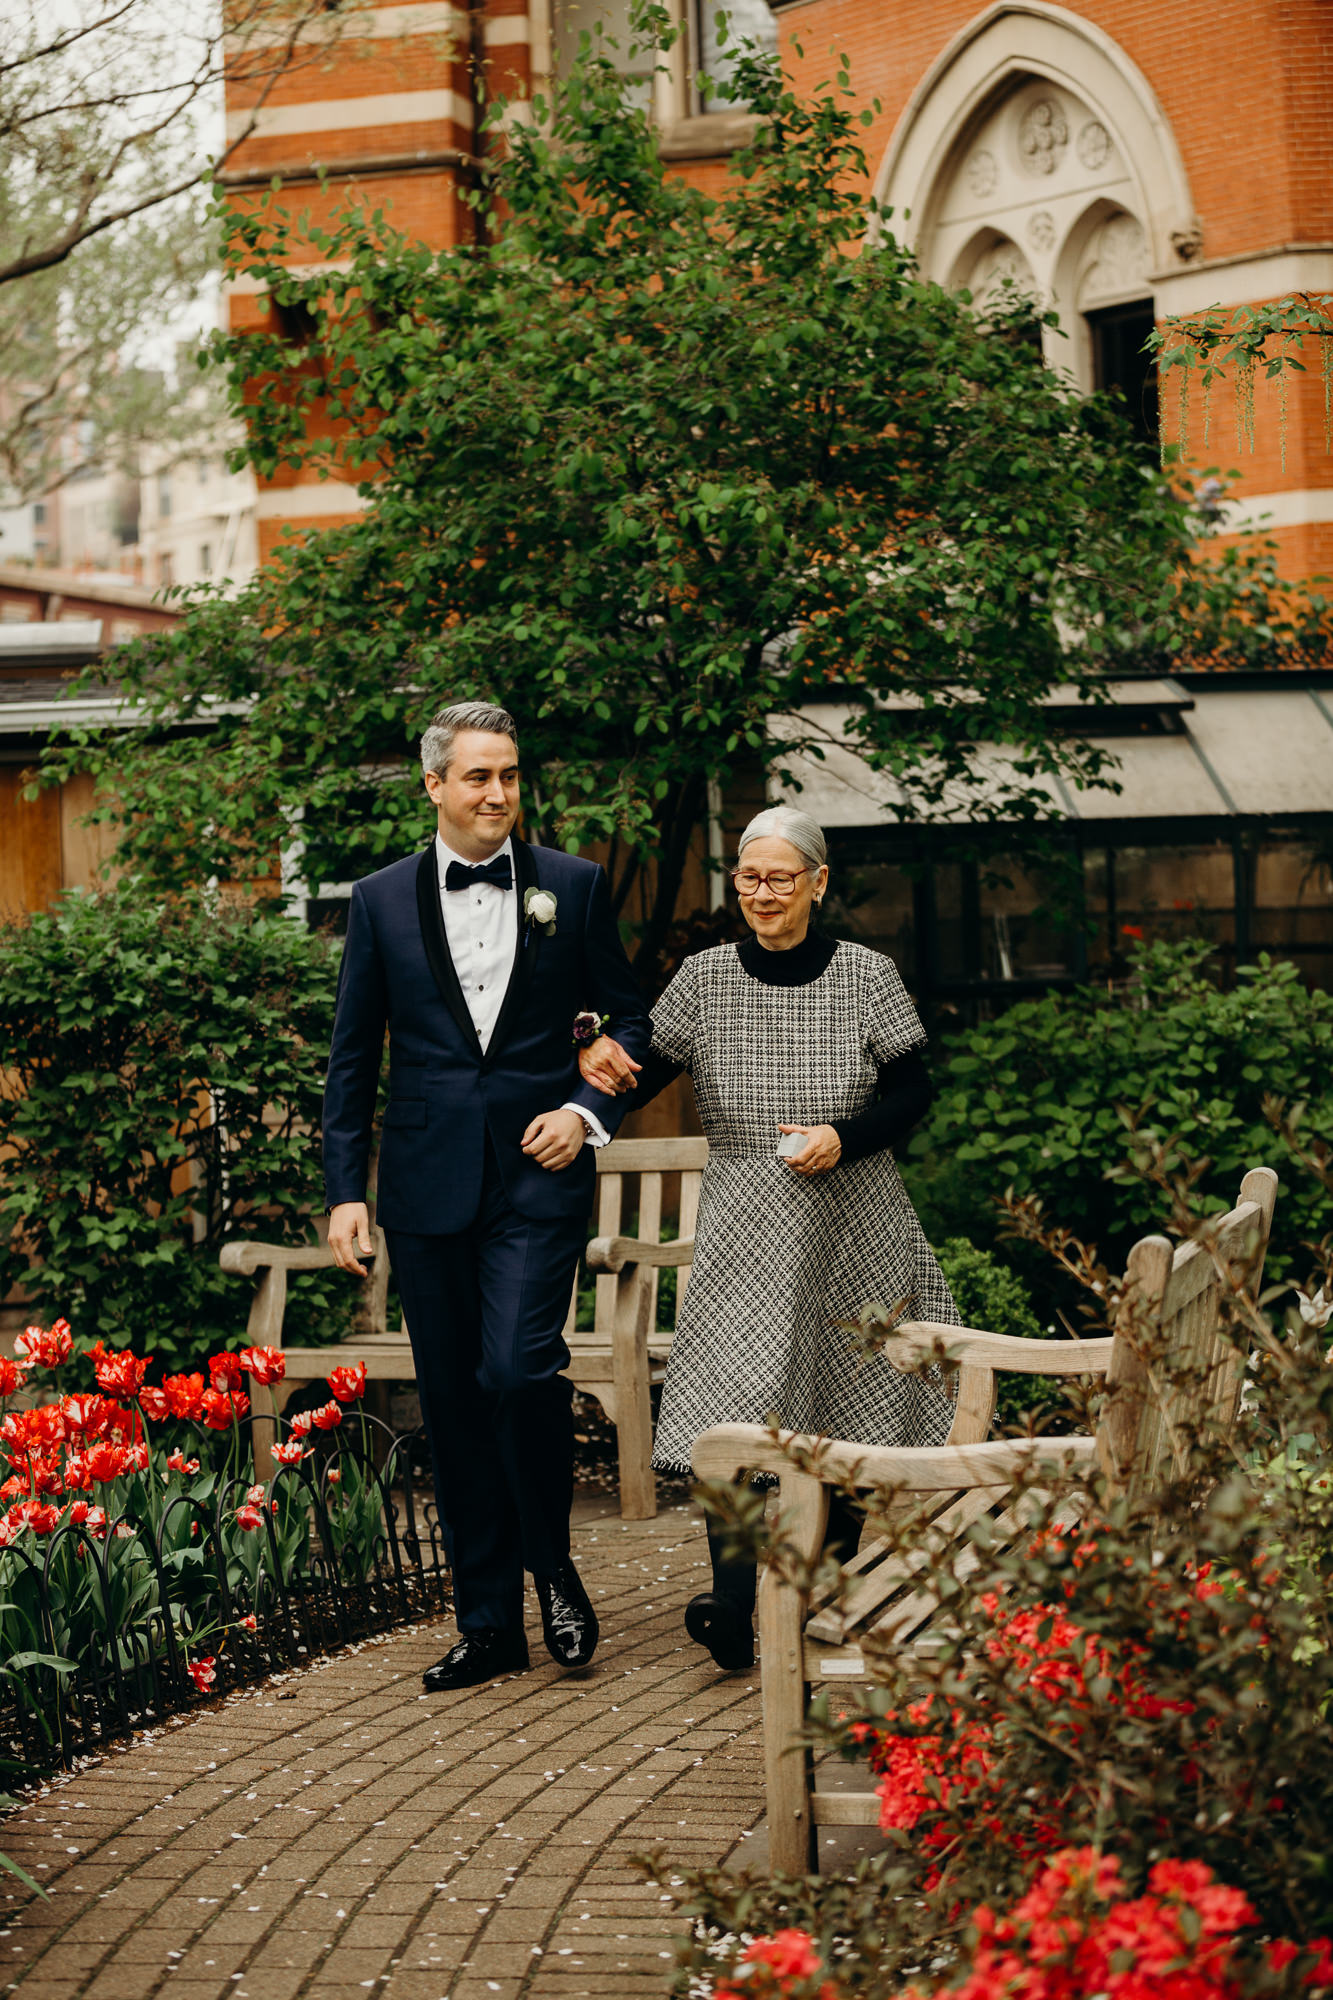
(475, 957)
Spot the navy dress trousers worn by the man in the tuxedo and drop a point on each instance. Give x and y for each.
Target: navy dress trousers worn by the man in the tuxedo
(485, 1315)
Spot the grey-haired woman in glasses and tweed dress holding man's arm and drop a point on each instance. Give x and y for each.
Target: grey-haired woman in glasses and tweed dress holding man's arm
(790, 1037)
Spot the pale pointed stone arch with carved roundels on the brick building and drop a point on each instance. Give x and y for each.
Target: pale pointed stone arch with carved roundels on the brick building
(1080, 101)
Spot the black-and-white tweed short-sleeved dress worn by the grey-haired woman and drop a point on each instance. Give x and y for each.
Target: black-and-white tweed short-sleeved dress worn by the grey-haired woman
(782, 1257)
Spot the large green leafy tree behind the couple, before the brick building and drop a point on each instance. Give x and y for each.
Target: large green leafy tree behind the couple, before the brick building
(651, 465)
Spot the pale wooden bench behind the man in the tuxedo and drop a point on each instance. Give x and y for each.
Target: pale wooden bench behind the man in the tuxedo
(615, 1361)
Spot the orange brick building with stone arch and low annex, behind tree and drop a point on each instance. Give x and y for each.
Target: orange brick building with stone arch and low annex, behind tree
(1126, 161)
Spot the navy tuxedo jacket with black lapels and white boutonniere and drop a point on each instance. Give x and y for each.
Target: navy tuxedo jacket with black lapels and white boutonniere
(443, 1093)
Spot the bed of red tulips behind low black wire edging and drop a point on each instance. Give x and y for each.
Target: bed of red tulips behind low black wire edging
(145, 1561)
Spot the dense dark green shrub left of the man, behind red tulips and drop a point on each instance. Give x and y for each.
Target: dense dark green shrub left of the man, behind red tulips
(163, 1093)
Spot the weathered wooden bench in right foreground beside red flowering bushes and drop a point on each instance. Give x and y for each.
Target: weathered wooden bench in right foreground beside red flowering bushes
(1174, 1299)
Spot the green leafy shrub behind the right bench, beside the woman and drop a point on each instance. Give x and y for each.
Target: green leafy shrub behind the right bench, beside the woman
(1038, 1101)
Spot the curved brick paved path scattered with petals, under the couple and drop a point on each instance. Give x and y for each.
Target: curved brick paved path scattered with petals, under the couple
(339, 1833)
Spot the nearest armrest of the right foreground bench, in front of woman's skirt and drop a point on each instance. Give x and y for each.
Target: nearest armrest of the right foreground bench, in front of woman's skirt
(734, 1449)
